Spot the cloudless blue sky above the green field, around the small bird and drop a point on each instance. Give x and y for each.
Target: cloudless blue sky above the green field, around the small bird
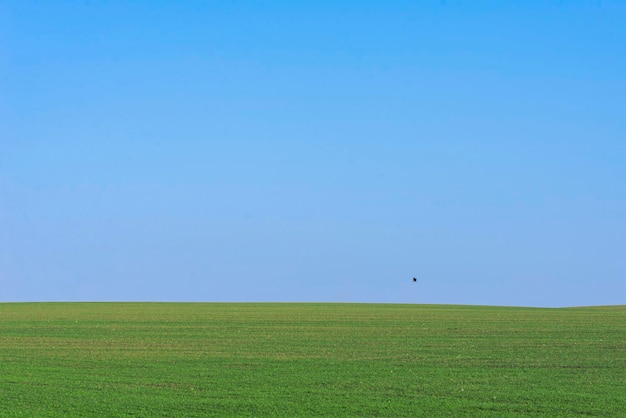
(313, 151)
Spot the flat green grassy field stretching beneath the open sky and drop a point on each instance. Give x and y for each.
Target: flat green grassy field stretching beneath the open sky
(197, 359)
